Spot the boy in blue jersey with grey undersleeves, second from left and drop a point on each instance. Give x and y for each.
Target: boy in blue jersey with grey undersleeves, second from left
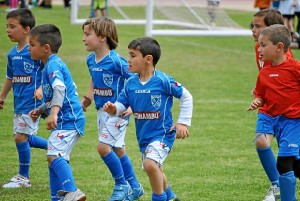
(65, 117)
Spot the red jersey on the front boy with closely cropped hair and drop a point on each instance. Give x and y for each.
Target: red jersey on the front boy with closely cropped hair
(279, 87)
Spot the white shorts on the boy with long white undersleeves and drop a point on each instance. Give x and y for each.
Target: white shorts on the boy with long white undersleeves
(156, 151)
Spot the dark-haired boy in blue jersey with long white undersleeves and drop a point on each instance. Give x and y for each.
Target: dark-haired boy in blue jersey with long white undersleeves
(150, 93)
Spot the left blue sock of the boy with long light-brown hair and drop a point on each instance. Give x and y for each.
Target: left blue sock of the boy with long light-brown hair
(114, 165)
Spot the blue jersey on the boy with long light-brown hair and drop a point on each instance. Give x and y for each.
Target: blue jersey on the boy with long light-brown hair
(108, 76)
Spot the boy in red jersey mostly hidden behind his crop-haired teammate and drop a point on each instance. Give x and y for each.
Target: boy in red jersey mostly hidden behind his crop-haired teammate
(264, 129)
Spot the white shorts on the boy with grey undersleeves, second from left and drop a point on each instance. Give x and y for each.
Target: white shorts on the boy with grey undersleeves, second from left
(61, 143)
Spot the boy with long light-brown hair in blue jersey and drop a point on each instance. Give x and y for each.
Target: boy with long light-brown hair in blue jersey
(109, 71)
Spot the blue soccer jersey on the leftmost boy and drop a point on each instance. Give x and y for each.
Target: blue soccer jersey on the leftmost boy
(26, 78)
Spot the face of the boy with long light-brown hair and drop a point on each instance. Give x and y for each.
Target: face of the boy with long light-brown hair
(90, 39)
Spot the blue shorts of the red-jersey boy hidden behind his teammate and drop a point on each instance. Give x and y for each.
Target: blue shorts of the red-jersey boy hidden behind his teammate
(264, 124)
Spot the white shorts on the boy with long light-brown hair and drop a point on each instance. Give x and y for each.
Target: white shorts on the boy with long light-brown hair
(111, 130)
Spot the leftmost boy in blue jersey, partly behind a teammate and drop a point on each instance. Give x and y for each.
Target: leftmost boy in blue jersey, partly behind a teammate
(24, 76)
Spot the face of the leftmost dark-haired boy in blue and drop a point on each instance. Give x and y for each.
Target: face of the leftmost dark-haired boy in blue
(15, 31)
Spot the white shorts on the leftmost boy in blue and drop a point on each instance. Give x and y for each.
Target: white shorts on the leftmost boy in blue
(25, 125)
